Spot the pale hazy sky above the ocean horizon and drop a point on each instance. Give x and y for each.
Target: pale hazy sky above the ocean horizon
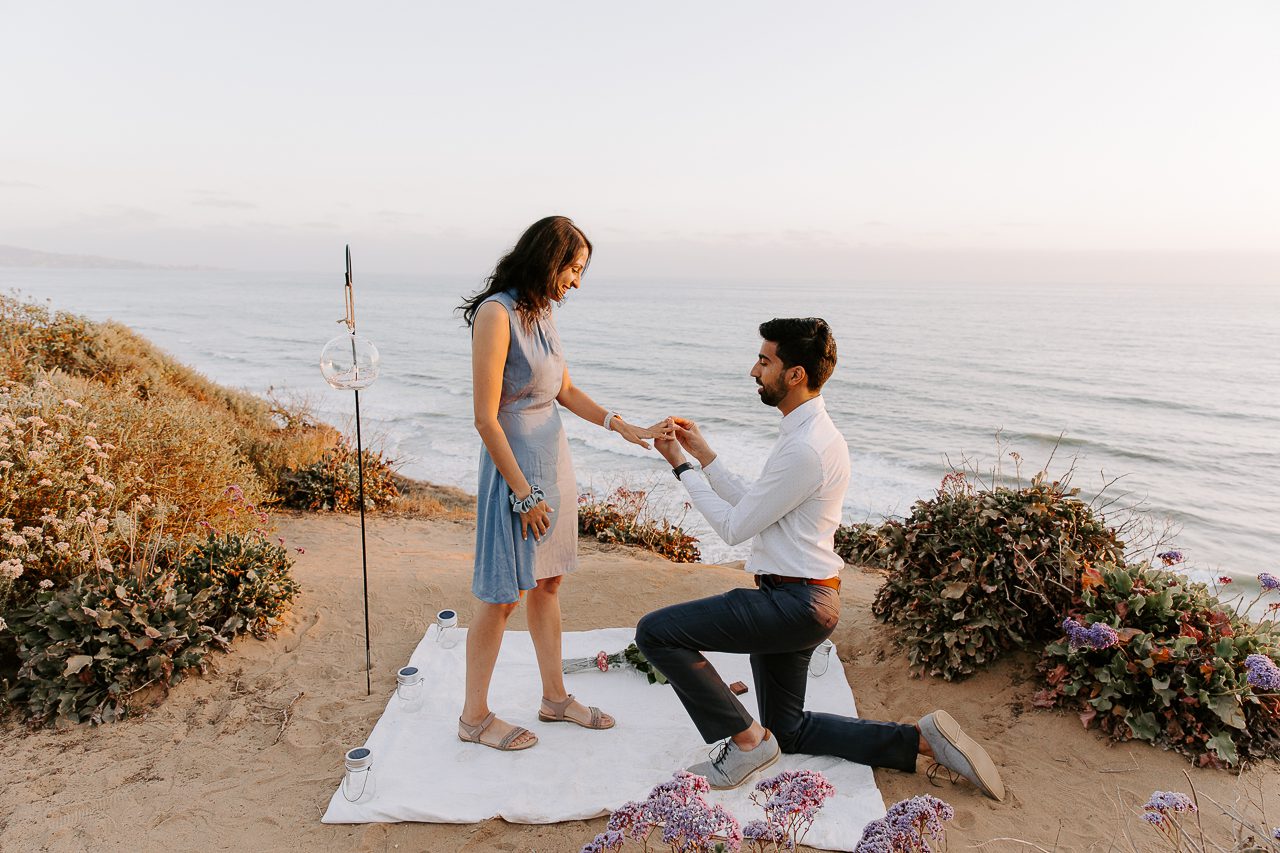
(834, 140)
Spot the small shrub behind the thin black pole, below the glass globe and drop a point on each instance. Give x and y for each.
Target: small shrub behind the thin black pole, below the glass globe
(333, 482)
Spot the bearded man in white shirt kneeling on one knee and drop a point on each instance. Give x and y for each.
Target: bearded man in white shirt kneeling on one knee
(790, 514)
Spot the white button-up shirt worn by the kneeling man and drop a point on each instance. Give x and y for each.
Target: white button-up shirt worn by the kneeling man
(794, 509)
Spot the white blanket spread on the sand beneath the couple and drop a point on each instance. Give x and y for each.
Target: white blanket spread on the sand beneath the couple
(423, 772)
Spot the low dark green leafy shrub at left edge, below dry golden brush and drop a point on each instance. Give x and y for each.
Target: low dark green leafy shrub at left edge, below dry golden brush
(88, 647)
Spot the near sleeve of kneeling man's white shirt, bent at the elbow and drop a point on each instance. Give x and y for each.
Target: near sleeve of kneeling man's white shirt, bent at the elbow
(788, 481)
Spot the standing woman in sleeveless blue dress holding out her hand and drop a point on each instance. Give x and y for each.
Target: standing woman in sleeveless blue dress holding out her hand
(527, 512)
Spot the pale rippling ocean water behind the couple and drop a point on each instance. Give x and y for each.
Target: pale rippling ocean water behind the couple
(1174, 391)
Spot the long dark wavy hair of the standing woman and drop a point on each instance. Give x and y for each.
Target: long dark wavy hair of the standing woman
(531, 268)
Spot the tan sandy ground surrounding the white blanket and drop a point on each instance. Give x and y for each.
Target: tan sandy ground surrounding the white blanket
(214, 768)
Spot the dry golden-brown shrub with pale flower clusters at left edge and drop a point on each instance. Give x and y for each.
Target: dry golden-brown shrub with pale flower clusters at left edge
(94, 481)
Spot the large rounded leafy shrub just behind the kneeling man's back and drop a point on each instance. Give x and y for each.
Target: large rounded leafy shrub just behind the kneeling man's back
(976, 574)
